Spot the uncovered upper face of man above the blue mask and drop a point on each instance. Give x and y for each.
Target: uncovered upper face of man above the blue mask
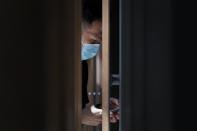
(92, 34)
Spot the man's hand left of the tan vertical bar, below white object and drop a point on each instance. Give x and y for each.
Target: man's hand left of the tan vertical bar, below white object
(89, 118)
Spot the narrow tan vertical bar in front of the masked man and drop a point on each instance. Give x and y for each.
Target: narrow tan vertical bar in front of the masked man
(105, 63)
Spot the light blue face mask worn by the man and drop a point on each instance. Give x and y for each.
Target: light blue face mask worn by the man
(89, 51)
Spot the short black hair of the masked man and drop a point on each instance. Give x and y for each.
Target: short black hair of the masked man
(91, 10)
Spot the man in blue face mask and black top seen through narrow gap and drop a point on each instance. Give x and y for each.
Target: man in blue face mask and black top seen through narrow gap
(91, 39)
